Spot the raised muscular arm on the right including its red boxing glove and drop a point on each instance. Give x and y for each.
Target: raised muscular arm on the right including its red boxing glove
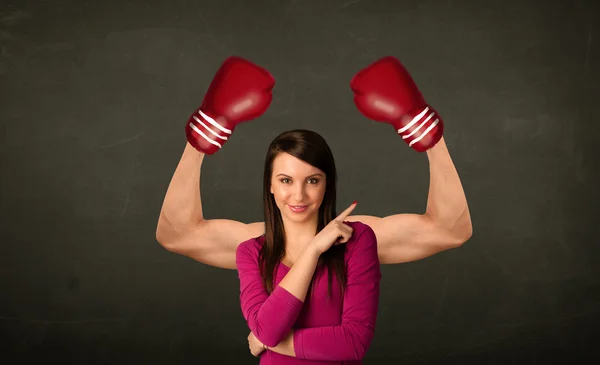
(384, 91)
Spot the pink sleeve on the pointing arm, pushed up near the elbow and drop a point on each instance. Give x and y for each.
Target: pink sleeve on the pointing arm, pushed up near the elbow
(269, 317)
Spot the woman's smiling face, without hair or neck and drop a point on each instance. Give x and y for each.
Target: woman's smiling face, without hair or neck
(298, 188)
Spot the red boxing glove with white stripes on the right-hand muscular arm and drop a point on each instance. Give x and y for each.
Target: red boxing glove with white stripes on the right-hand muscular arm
(384, 91)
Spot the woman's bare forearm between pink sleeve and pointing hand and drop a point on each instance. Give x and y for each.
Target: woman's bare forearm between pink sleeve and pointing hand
(297, 280)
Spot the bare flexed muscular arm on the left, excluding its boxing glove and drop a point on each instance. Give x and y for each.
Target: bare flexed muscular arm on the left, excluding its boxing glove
(181, 227)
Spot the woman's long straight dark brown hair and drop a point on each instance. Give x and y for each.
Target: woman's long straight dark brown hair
(311, 148)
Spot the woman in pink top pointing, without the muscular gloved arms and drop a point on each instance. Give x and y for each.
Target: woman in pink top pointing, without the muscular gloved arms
(309, 286)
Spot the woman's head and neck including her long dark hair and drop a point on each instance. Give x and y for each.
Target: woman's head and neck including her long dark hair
(299, 192)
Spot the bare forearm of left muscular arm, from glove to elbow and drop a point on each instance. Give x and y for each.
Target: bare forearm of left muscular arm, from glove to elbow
(182, 206)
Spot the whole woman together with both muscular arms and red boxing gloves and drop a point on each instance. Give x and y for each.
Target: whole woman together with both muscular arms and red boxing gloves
(309, 277)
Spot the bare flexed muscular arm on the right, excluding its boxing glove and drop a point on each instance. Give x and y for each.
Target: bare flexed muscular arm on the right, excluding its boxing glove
(445, 224)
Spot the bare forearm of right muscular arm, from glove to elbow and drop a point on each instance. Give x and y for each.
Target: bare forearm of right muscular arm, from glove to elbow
(447, 203)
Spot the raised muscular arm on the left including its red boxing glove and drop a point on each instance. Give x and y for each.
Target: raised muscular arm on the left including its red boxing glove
(240, 91)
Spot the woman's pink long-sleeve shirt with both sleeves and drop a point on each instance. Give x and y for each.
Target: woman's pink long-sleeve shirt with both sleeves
(327, 330)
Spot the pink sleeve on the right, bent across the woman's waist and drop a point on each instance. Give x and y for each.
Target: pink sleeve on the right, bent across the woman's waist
(351, 339)
